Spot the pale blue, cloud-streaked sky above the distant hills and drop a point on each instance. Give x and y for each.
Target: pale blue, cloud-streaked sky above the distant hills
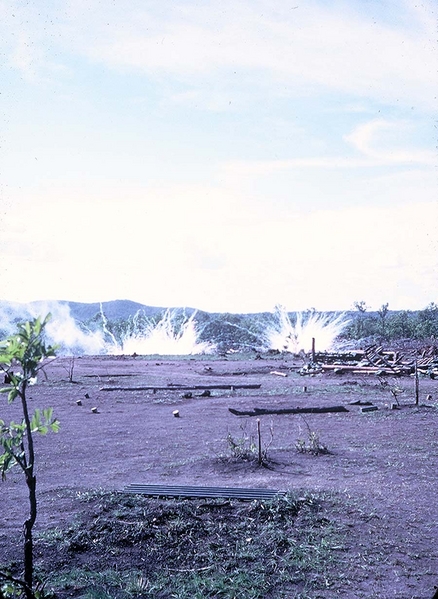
(228, 156)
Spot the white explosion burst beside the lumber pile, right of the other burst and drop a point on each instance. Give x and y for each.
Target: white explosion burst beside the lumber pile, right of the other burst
(285, 336)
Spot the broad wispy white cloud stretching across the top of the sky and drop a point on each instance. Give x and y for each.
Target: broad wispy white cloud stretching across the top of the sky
(270, 47)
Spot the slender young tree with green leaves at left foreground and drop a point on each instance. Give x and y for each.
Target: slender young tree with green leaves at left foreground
(22, 357)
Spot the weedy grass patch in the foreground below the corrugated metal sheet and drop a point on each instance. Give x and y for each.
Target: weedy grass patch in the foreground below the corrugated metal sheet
(195, 549)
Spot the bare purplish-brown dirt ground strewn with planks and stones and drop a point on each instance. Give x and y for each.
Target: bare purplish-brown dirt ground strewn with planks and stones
(384, 464)
